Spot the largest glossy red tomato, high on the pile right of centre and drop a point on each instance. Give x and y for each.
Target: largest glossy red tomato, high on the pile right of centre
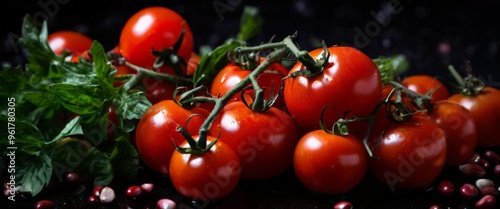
(349, 82)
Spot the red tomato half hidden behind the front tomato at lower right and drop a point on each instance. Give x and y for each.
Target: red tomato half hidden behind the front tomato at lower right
(460, 129)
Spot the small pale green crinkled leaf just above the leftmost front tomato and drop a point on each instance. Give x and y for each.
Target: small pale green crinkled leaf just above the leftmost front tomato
(132, 105)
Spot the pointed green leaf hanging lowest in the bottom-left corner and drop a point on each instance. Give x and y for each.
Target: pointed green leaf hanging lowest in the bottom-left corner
(33, 172)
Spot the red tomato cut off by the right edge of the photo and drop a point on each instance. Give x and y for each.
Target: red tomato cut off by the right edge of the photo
(485, 108)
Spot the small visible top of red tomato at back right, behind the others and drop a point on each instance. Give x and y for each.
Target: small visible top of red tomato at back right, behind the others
(422, 84)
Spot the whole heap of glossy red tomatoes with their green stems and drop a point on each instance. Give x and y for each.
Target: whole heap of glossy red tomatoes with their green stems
(332, 120)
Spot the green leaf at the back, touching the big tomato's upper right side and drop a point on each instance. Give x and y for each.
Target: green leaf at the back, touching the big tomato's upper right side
(390, 67)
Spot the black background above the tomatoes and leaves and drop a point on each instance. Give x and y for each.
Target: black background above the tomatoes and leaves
(432, 35)
